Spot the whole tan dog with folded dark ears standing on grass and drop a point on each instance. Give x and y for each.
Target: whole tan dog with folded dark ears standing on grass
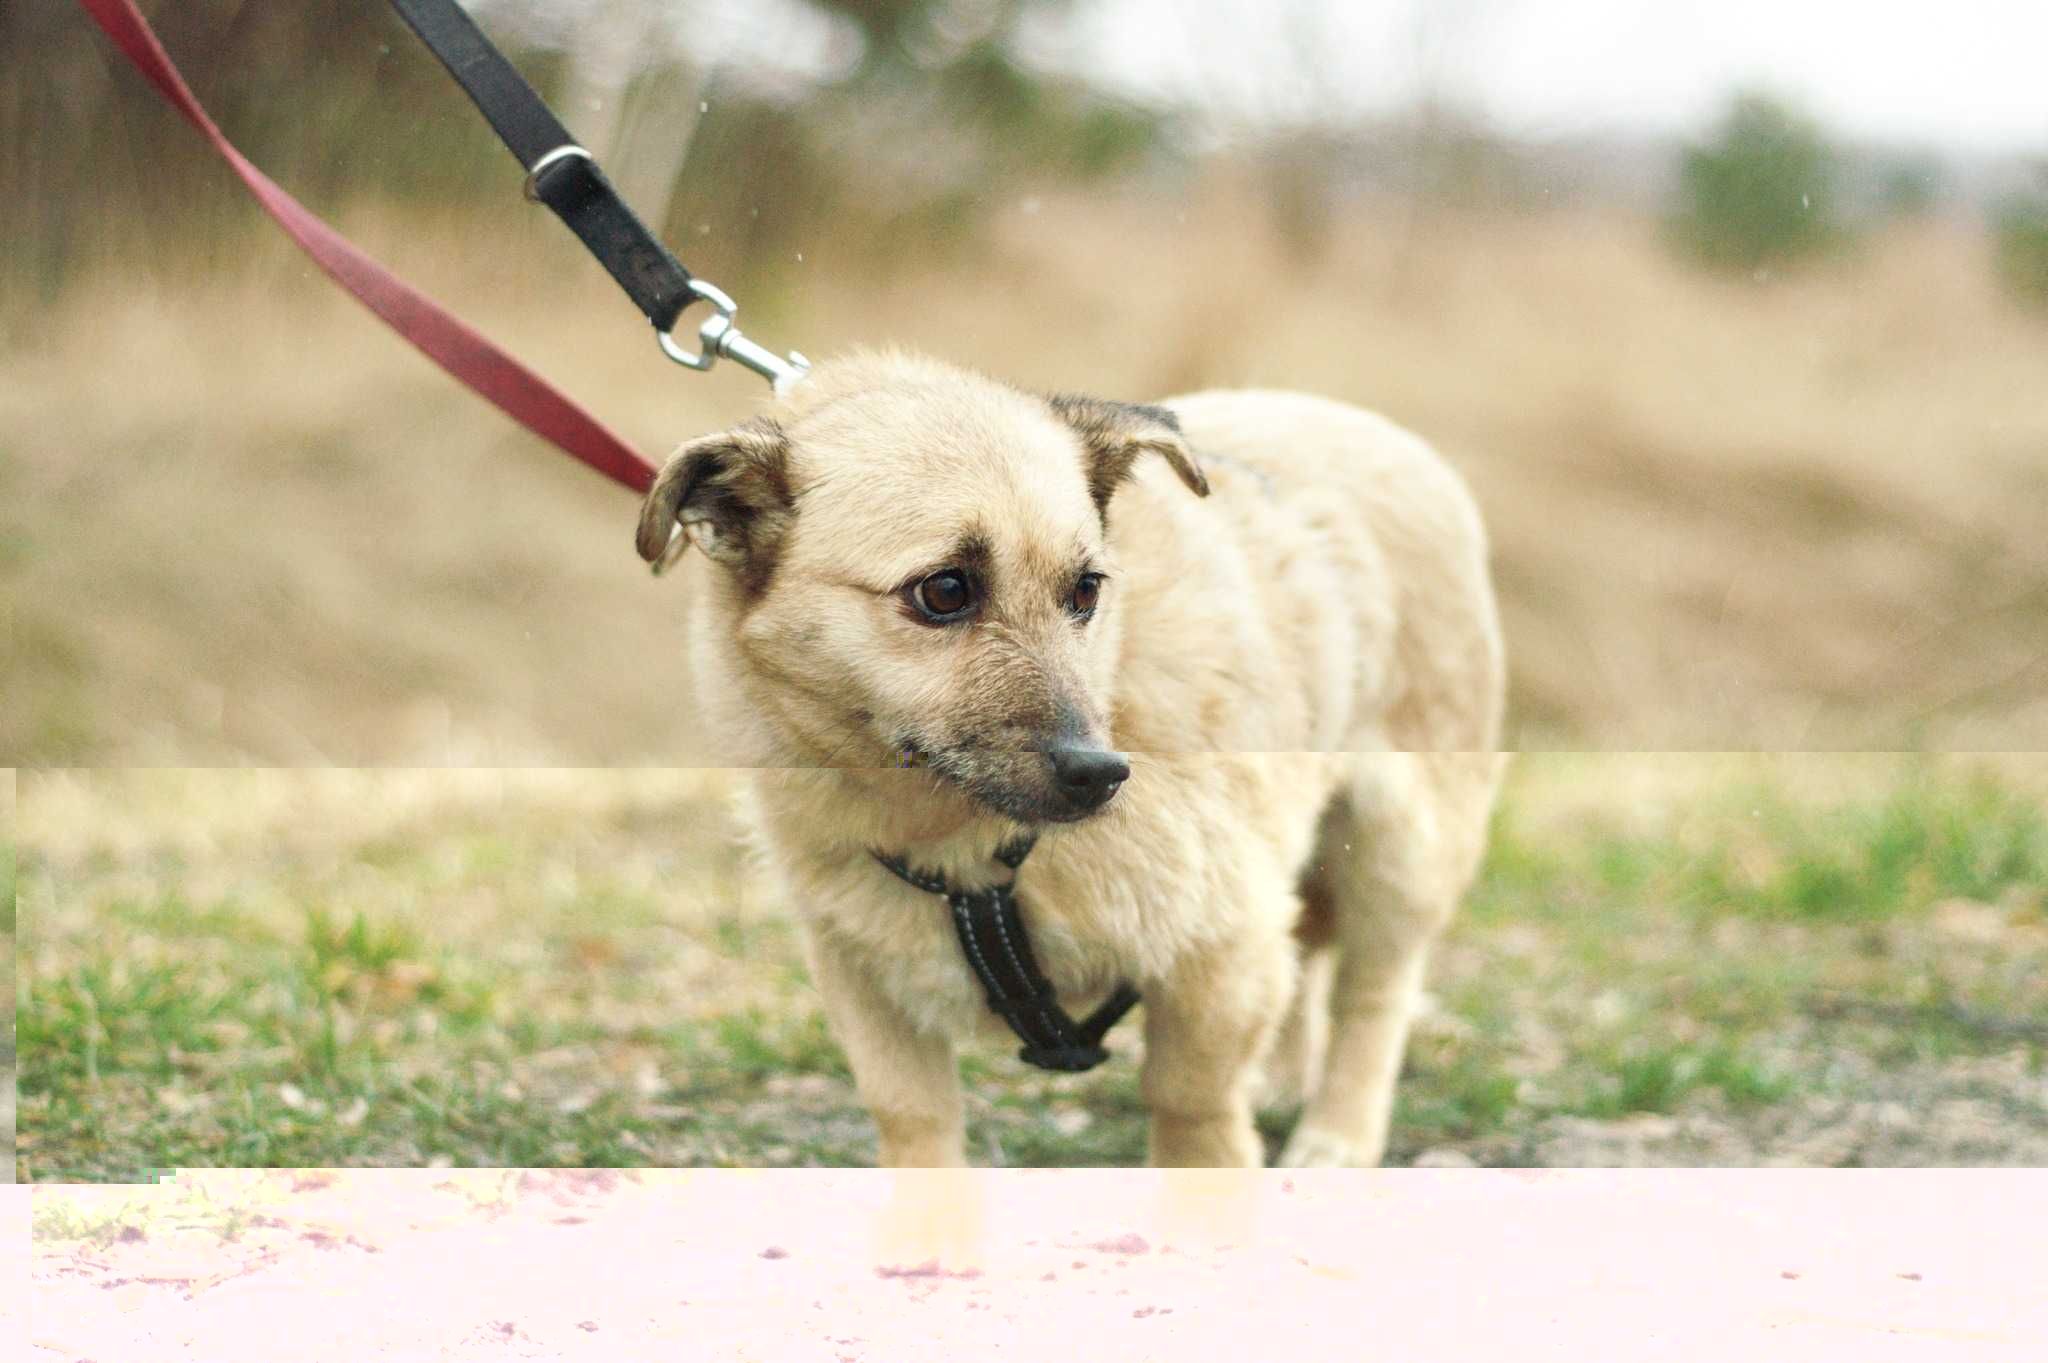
(1252, 713)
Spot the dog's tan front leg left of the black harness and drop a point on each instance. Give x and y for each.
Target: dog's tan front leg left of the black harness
(906, 1075)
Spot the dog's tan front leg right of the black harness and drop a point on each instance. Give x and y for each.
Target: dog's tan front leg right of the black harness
(1207, 1028)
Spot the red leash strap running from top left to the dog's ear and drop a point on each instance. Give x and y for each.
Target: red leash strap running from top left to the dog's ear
(478, 363)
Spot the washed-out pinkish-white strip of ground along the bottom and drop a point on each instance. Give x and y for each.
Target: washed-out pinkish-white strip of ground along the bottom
(853, 1268)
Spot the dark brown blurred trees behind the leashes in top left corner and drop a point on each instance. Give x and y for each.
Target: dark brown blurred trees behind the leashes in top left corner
(331, 97)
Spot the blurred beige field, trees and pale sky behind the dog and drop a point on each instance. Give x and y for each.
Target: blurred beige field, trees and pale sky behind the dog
(1734, 314)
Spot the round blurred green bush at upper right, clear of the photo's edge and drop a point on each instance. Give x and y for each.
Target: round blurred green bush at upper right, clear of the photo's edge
(1760, 191)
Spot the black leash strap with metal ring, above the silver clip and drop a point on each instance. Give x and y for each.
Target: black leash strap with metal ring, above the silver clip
(558, 173)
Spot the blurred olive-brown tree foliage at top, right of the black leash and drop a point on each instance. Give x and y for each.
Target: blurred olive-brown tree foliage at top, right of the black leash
(914, 140)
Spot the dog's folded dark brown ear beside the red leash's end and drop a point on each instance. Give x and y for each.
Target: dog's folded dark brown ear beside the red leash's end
(730, 492)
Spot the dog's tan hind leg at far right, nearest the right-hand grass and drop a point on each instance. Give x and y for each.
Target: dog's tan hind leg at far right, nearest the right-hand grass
(1396, 859)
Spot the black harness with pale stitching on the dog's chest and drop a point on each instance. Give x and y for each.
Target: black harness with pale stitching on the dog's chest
(998, 951)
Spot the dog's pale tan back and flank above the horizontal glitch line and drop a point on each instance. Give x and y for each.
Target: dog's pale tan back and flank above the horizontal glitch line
(1334, 584)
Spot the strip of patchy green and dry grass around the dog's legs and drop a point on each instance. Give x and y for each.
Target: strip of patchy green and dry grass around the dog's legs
(411, 969)
